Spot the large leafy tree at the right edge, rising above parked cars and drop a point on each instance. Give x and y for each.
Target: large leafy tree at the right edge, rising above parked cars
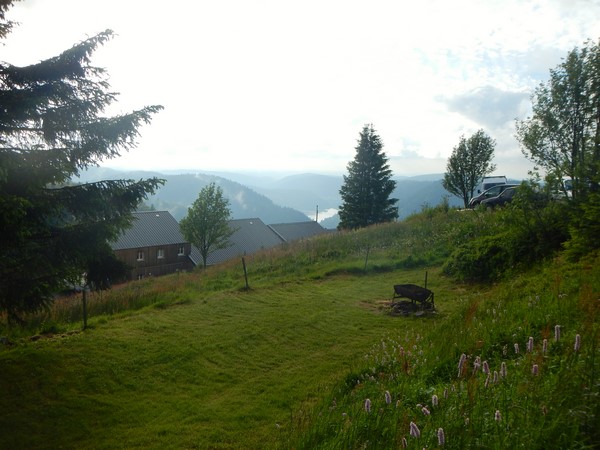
(563, 134)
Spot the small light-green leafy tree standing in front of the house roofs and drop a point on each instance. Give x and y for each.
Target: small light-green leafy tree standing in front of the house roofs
(207, 222)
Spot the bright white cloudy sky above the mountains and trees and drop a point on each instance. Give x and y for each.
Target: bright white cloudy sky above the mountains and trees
(281, 86)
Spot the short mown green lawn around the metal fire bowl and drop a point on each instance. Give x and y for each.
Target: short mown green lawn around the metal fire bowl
(227, 369)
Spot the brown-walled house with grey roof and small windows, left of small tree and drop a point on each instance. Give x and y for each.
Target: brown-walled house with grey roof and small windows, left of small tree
(153, 245)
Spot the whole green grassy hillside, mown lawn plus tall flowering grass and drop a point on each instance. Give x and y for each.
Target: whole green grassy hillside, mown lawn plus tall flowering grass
(309, 357)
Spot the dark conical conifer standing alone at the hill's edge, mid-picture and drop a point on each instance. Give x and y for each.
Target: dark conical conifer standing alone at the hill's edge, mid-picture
(367, 187)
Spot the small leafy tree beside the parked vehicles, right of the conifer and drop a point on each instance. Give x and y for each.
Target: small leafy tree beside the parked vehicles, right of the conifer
(470, 161)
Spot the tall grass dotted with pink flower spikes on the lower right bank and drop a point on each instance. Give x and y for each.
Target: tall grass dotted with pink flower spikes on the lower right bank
(514, 368)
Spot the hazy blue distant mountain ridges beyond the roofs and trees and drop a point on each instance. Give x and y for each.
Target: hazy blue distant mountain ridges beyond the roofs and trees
(286, 199)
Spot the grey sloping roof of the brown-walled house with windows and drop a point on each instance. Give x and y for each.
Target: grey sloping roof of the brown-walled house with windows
(150, 228)
